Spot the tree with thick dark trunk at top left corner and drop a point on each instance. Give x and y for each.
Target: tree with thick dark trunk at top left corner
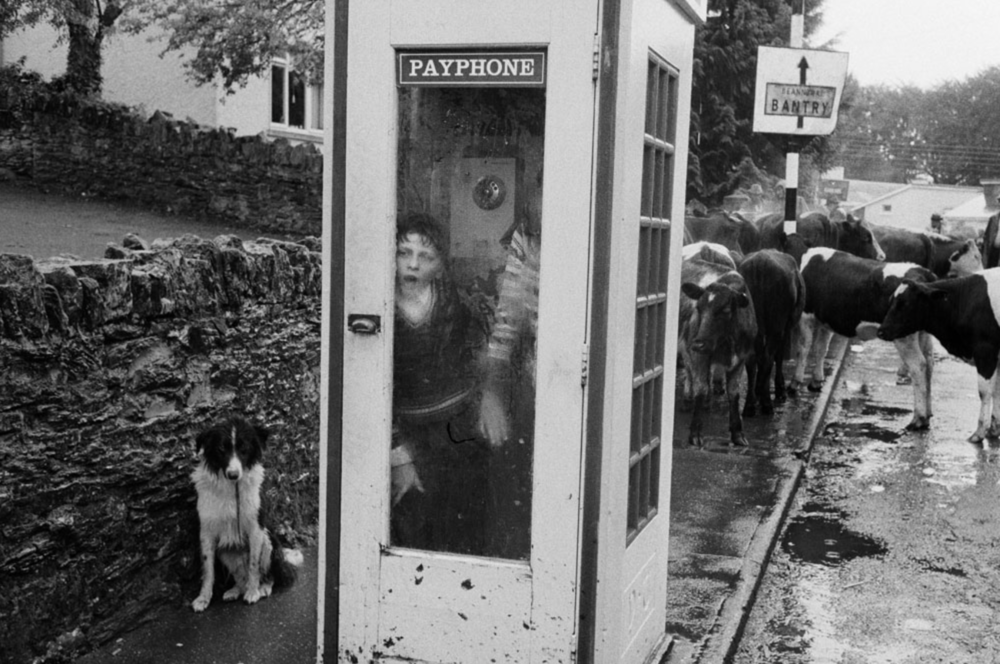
(82, 23)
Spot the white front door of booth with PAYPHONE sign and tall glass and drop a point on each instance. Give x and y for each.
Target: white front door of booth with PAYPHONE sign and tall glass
(465, 297)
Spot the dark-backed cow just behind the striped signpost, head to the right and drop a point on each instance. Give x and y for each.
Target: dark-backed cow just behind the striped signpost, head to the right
(816, 230)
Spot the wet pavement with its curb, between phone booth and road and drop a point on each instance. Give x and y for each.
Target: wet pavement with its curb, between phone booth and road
(727, 509)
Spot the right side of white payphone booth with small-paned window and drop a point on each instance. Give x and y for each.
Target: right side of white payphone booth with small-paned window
(649, 201)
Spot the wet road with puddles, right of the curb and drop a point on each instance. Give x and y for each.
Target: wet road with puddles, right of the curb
(890, 553)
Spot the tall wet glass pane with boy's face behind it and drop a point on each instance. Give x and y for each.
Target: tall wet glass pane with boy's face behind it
(466, 295)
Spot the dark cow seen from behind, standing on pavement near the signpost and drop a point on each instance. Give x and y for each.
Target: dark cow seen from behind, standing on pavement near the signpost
(778, 293)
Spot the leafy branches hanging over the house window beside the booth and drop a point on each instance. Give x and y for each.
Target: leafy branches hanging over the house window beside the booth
(234, 40)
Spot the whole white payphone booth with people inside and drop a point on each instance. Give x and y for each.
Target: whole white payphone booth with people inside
(505, 222)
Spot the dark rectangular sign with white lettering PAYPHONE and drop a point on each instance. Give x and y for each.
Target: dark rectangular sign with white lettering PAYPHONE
(472, 69)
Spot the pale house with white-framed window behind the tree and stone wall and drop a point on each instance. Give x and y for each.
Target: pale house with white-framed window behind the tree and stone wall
(279, 105)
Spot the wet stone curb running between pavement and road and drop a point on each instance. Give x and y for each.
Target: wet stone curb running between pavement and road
(723, 643)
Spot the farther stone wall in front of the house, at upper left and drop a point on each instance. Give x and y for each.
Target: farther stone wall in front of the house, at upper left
(109, 151)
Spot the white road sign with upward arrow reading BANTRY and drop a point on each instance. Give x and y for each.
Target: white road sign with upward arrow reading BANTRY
(798, 90)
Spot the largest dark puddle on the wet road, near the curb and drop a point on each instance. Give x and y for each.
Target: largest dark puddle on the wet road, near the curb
(821, 539)
